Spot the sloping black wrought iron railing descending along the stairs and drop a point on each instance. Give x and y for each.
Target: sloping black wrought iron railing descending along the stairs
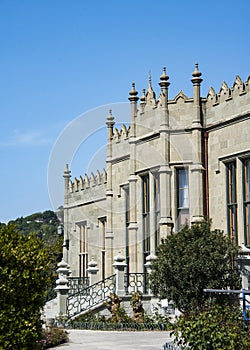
(90, 297)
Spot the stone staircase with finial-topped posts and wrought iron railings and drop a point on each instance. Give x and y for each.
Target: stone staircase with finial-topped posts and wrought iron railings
(77, 296)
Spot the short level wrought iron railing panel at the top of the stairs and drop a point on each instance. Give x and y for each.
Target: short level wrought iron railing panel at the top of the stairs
(135, 282)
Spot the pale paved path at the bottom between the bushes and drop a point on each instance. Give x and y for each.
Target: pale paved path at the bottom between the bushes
(104, 340)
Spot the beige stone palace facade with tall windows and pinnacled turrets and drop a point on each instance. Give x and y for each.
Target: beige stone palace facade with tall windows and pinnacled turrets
(179, 160)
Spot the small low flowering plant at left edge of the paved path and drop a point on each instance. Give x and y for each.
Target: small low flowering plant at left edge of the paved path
(52, 337)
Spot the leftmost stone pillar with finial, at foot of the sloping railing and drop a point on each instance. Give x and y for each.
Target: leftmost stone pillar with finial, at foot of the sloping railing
(62, 287)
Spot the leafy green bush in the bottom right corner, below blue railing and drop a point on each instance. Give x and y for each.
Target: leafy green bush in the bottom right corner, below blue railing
(219, 327)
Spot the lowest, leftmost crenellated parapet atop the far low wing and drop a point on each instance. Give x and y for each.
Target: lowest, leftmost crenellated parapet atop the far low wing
(83, 183)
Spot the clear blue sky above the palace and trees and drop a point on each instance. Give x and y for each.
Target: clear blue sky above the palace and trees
(60, 59)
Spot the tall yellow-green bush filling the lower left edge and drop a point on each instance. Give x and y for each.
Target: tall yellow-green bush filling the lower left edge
(23, 282)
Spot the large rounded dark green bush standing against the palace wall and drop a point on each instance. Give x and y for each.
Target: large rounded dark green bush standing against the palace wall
(192, 260)
